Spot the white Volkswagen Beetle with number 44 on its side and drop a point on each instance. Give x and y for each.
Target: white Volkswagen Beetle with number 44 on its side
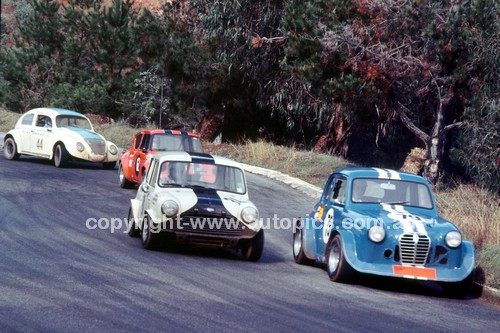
(58, 135)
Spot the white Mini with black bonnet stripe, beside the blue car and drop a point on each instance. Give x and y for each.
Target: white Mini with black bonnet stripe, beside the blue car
(197, 199)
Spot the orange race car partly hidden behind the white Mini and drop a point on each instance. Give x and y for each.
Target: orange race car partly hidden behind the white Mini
(135, 160)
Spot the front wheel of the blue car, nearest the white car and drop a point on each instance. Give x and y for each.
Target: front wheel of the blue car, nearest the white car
(337, 266)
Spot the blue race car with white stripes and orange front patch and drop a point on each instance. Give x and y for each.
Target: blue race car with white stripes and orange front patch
(383, 222)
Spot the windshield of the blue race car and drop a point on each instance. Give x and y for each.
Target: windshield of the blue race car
(394, 192)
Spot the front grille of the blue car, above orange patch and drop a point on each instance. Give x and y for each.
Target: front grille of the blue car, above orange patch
(414, 248)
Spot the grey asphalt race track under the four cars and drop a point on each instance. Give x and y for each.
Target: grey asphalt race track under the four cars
(56, 275)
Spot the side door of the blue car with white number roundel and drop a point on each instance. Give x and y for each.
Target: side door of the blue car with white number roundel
(333, 212)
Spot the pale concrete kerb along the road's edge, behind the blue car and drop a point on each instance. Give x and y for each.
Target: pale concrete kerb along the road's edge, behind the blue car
(488, 293)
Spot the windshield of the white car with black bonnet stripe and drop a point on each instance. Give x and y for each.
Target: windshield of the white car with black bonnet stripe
(199, 175)
